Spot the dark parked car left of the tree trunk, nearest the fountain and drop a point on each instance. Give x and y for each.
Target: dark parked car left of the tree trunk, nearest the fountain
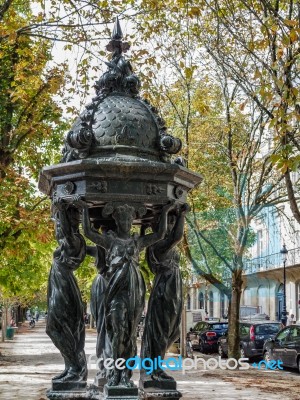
(205, 334)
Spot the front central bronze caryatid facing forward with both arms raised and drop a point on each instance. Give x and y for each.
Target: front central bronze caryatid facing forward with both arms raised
(125, 292)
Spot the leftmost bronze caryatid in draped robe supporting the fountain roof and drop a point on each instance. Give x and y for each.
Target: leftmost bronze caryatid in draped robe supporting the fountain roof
(65, 324)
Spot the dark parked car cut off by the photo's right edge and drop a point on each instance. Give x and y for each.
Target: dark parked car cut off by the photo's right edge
(285, 346)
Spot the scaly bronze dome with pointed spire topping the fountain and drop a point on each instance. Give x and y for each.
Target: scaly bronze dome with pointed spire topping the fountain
(118, 123)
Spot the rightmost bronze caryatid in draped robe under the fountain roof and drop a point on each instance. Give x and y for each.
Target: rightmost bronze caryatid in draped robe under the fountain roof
(165, 303)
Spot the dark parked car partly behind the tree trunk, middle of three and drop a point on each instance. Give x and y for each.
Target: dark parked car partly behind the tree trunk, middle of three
(252, 337)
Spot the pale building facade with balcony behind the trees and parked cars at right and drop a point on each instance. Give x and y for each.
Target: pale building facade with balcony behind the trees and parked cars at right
(263, 278)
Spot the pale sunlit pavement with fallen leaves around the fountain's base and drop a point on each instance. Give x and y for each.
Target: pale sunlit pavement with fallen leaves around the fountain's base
(29, 361)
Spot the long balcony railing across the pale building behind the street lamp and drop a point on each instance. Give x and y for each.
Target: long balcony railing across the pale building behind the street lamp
(271, 261)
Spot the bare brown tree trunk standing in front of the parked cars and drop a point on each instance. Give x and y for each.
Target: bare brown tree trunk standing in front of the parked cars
(234, 315)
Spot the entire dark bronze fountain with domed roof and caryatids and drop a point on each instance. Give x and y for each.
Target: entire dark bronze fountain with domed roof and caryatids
(116, 178)
